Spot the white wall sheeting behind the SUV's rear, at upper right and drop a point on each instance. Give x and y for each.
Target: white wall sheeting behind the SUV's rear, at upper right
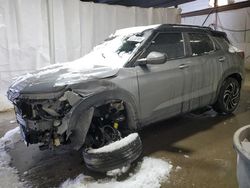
(233, 20)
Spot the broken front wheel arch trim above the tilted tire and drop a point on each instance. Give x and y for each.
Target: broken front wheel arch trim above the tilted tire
(77, 123)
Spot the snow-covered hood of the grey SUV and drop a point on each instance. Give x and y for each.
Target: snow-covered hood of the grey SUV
(56, 77)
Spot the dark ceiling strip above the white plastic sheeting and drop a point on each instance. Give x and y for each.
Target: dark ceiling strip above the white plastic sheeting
(143, 3)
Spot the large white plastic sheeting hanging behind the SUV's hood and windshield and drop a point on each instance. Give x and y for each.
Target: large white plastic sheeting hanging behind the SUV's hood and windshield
(78, 26)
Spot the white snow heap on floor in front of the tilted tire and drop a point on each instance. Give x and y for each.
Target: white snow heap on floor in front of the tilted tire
(149, 174)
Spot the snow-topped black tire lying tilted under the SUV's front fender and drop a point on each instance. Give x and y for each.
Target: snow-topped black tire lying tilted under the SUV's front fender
(114, 155)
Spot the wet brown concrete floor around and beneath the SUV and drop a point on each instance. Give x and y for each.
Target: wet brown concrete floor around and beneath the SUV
(200, 143)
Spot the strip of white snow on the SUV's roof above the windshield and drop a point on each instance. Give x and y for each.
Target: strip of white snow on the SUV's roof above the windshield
(137, 29)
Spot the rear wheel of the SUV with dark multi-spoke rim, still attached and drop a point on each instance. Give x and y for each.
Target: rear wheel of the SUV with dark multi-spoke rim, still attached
(229, 96)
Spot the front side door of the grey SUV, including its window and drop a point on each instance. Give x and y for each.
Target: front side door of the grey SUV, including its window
(161, 86)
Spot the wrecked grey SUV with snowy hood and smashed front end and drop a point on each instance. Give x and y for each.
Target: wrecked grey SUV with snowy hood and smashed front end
(135, 77)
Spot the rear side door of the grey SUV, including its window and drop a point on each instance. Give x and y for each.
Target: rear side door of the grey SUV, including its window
(202, 73)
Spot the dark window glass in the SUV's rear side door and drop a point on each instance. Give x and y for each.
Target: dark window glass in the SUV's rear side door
(200, 44)
